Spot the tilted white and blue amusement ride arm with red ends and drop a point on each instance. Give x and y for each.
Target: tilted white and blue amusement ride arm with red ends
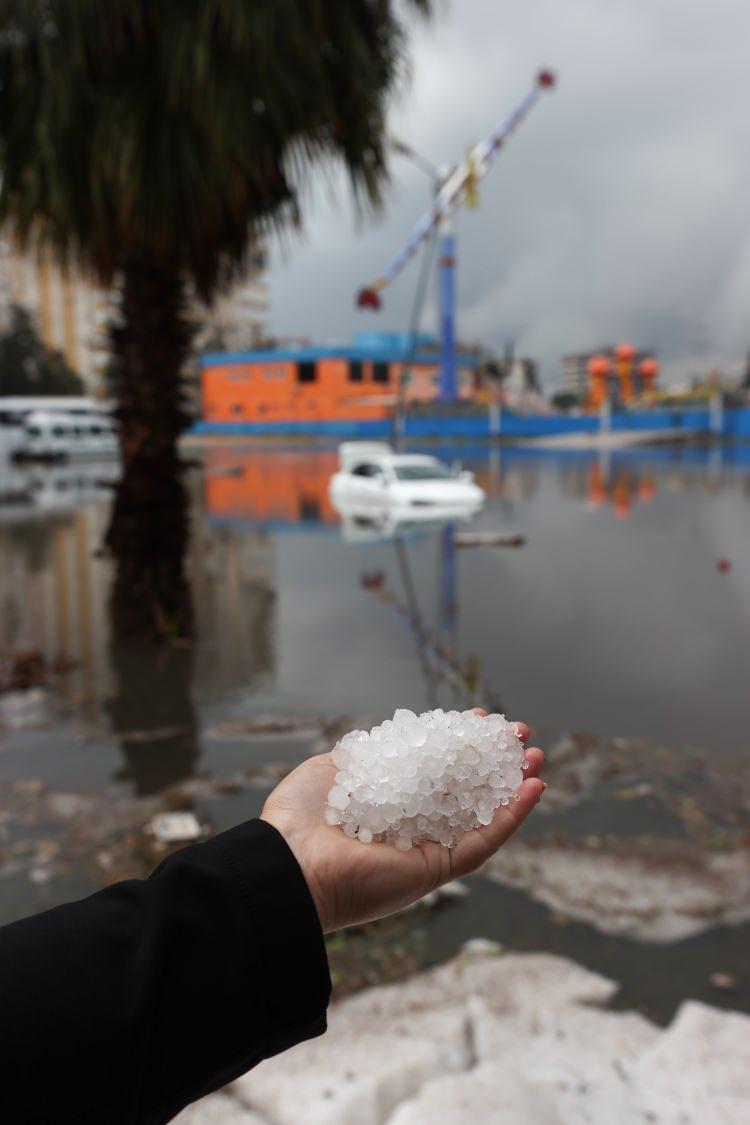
(449, 196)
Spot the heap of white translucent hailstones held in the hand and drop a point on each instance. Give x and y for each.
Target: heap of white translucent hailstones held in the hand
(423, 778)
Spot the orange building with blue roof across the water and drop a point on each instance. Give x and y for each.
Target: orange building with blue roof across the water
(358, 383)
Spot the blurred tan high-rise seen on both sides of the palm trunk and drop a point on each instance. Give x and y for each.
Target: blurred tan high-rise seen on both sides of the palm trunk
(73, 314)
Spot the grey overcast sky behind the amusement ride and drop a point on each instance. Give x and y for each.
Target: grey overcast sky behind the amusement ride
(621, 210)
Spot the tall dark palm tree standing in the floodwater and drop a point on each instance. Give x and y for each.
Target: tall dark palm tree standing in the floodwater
(153, 142)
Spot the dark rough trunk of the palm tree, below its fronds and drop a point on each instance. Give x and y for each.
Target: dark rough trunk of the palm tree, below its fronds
(150, 525)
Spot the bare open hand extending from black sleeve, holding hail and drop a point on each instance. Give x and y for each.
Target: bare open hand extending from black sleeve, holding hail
(354, 883)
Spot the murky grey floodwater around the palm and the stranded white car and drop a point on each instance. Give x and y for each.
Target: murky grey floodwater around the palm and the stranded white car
(625, 618)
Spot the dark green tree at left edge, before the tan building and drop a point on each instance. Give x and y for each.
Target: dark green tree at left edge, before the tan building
(28, 367)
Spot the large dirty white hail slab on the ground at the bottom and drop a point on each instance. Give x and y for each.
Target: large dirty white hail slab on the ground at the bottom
(516, 1039)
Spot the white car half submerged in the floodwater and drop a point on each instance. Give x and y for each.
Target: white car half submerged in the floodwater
(373, 474)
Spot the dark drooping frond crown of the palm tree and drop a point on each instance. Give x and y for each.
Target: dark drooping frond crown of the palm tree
(182, 131)
